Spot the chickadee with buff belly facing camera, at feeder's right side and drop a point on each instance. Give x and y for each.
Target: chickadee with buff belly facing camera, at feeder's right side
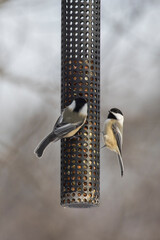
(113, 133)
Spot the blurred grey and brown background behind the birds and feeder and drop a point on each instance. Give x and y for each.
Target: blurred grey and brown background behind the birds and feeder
(30, 37)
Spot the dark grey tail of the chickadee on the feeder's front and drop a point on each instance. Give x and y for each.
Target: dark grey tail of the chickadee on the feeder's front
(44, 143)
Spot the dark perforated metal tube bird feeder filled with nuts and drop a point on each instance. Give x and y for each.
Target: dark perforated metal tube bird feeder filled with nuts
(80, 77)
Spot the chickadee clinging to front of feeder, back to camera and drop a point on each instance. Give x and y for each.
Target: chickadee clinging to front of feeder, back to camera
(70, 121)
